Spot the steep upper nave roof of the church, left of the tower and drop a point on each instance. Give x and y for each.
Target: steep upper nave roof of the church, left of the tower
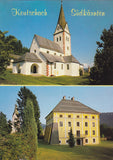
(48, 44)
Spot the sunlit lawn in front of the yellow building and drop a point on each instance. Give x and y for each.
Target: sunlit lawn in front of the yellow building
(103, 151)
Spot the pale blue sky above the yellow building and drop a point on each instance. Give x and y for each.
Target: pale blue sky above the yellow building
(98, 98)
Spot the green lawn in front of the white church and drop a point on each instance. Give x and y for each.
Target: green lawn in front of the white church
(19, 79)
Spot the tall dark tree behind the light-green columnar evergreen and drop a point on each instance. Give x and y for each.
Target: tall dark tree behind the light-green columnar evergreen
(24, 94)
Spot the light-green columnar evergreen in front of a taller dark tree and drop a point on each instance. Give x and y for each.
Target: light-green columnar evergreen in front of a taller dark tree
(29, 129)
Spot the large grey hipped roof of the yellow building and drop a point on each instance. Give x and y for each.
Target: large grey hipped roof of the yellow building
(72, 106)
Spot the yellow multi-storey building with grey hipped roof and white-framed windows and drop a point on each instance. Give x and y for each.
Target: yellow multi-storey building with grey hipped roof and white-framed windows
(68, 114)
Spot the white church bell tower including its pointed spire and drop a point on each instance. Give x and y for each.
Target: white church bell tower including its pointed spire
(62, 35)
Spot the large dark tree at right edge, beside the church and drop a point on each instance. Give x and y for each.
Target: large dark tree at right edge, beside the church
(102, 72)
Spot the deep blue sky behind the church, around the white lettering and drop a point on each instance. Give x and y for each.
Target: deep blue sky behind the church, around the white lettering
(85, 30)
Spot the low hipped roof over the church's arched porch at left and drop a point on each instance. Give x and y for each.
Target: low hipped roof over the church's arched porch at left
(29, 57)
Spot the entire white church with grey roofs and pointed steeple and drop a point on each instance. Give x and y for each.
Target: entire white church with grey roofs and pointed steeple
(50, 58)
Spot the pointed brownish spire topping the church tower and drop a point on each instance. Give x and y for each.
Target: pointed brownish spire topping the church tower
(61, 19)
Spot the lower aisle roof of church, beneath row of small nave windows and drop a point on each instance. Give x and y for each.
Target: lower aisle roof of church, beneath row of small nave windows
(53, 58)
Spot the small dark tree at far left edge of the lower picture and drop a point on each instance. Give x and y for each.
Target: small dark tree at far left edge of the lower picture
(3, 124)
